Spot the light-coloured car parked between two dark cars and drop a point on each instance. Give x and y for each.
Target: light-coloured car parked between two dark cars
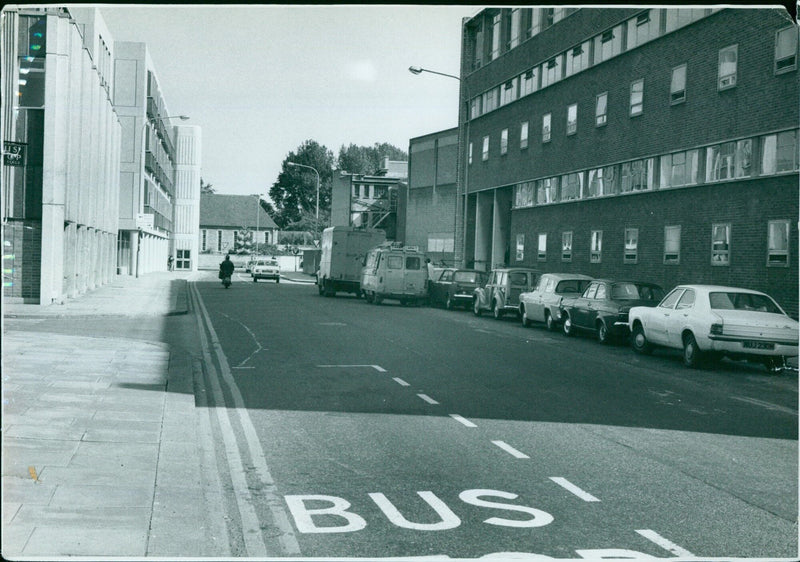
(543, 303)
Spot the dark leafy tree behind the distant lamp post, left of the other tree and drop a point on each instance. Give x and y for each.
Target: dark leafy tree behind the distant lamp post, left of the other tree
(295, 190)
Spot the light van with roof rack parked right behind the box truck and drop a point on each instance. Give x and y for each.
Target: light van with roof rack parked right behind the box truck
(393, 271)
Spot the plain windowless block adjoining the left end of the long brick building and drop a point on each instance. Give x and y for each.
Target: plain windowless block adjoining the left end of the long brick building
(430, 200)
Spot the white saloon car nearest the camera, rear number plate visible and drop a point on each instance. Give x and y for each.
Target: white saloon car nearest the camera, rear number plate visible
(709, 321)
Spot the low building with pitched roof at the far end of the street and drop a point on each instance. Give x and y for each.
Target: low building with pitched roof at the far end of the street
(226, 222)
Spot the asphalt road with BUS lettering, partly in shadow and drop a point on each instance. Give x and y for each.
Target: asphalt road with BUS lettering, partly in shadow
(379, 431)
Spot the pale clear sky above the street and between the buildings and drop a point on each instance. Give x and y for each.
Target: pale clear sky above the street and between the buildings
(262, 79)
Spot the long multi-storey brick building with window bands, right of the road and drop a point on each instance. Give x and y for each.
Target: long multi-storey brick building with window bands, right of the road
(652, 143)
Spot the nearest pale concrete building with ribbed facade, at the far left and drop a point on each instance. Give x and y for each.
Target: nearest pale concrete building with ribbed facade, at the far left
(61, 140)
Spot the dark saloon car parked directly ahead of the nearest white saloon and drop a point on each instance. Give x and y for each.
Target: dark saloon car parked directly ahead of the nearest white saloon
(604, 305)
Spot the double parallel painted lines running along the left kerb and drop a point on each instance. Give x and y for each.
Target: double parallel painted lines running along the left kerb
(254, 540)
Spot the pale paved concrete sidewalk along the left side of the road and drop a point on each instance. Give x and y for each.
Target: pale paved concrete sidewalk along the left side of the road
(101, 446)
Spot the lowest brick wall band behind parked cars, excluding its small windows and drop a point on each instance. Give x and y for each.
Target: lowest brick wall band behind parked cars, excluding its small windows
(747, 205)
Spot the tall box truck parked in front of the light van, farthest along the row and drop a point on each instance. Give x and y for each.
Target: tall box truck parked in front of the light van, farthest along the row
(344, 249)
